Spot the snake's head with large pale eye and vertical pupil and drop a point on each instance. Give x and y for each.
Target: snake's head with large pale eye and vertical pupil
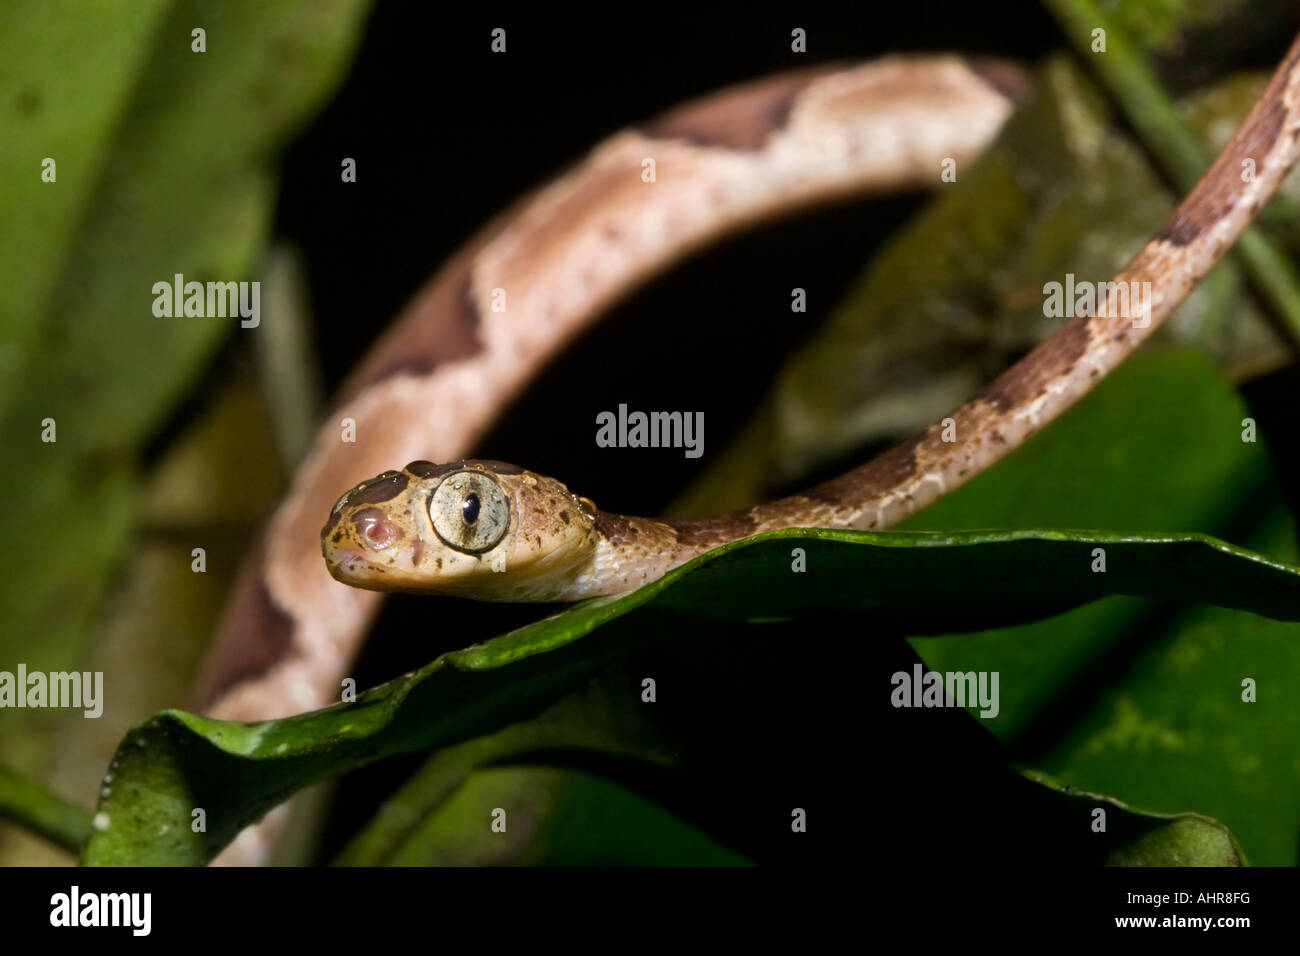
(474, 529)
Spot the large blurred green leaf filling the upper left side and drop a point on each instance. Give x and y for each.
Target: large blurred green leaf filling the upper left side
(166, 166)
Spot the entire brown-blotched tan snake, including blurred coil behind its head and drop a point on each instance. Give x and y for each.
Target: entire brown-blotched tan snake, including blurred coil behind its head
(450, 364)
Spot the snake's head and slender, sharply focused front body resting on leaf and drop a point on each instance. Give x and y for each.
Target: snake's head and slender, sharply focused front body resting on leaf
(499, 533)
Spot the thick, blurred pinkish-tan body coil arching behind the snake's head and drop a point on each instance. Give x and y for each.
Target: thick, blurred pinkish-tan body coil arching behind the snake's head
(452, 362)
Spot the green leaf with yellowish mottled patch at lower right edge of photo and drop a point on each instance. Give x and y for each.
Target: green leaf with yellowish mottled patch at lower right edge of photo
(1172, 729)
